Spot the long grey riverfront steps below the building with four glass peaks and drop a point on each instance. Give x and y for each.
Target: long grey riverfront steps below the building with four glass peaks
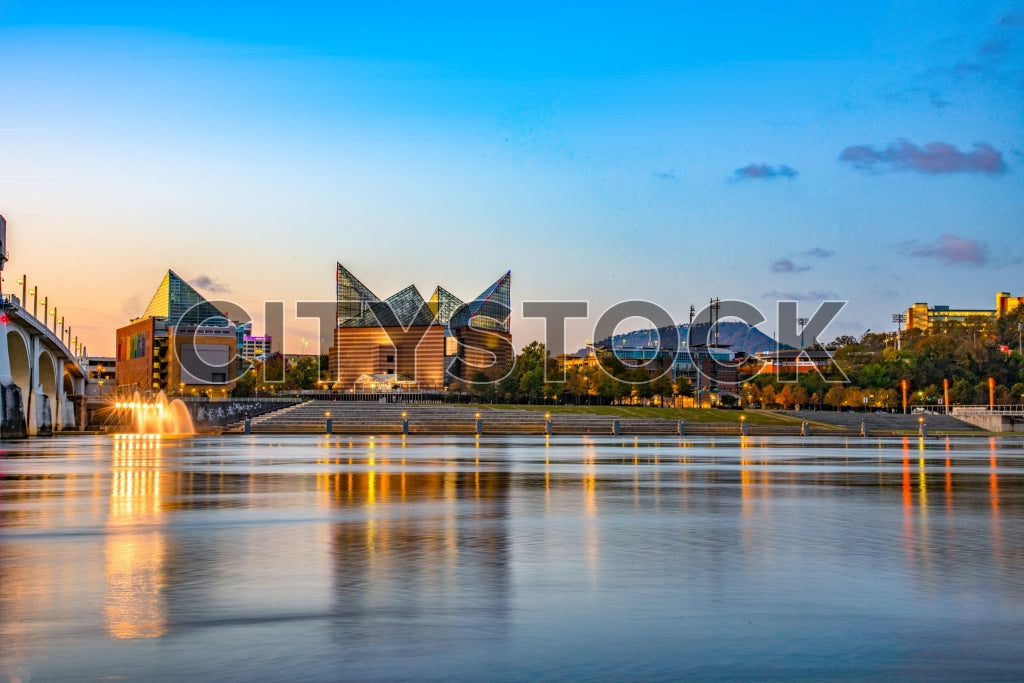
(360, 418)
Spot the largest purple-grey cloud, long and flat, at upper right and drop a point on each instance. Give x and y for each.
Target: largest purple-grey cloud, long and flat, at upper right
(934, 158)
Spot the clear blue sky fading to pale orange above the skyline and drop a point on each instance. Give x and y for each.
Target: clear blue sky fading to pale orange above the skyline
(870, 153)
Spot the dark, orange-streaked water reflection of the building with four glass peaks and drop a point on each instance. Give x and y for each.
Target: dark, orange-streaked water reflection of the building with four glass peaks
(420, 546)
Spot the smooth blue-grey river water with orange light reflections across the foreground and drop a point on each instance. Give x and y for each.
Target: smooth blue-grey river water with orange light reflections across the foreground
(513, 559)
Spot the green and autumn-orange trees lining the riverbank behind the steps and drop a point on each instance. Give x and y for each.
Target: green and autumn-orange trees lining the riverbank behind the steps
(868, 374)
